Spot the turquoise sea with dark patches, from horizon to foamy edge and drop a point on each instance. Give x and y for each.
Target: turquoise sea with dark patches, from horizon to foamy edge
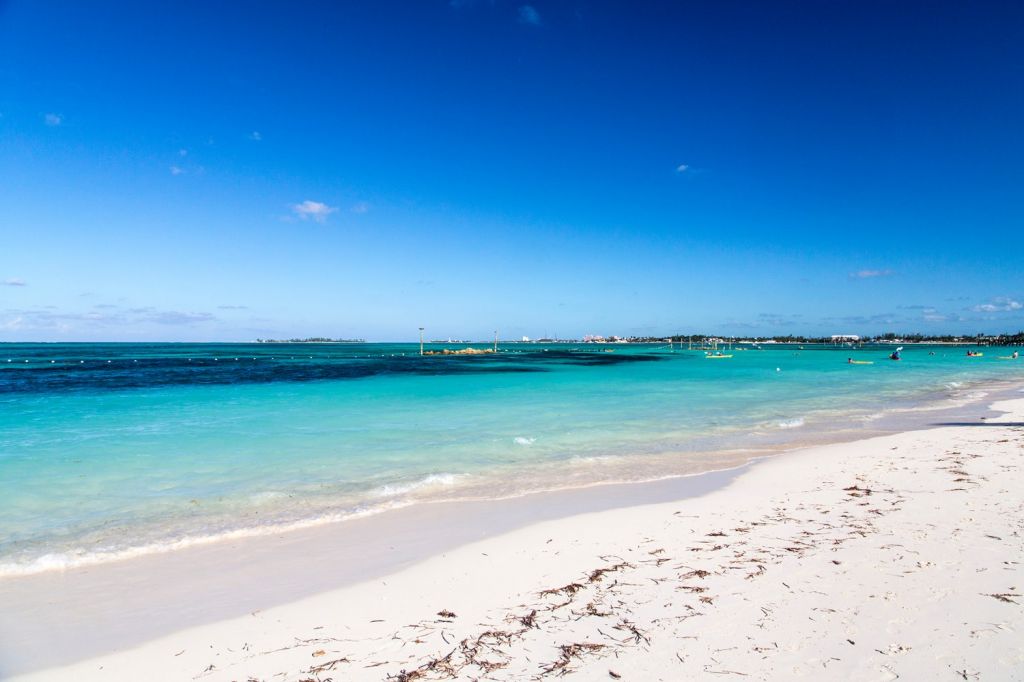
(114, 450)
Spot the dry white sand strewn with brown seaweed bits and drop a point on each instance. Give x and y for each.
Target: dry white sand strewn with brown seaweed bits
(894, 558)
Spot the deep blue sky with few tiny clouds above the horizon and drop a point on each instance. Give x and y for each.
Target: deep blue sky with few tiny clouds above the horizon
(218, 172)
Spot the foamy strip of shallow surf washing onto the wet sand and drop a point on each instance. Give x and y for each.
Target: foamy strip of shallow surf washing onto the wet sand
(748, 445)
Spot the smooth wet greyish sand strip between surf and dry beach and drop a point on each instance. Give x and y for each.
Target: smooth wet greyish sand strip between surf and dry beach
(197, 587)
